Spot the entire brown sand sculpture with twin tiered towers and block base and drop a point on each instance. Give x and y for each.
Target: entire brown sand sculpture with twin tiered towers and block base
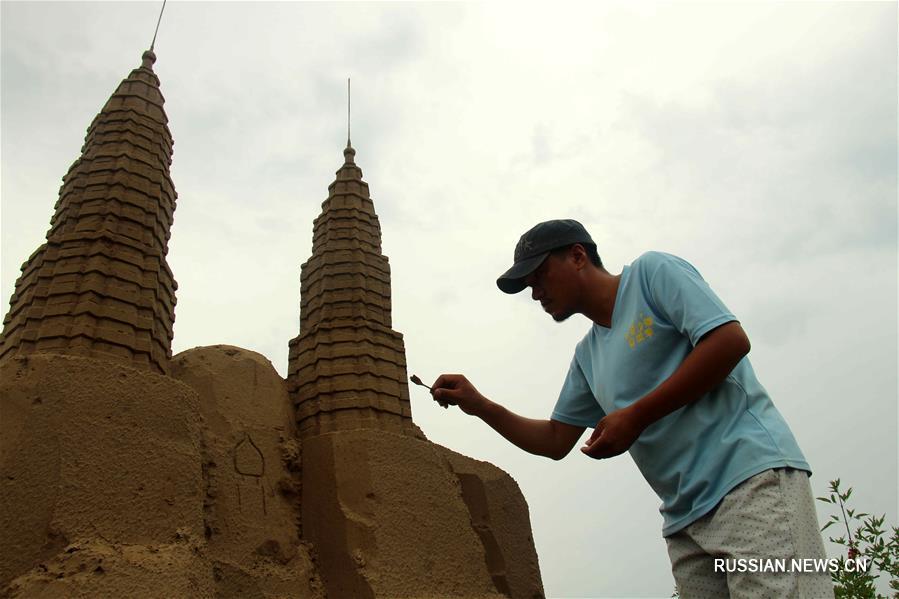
(125, 471)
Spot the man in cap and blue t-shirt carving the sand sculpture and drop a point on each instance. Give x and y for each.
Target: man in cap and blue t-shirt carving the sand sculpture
(662, 373)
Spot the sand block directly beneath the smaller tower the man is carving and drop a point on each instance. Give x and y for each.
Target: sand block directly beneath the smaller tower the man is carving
(386, 516)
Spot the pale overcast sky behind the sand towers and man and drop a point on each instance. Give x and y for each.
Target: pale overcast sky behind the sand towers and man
(758, 141)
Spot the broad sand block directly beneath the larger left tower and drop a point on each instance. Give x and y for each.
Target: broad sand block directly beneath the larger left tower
(93, 449)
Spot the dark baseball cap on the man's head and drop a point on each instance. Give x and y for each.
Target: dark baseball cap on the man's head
(535, 245)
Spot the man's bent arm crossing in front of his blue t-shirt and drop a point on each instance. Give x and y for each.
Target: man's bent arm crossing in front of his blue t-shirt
(704, 368)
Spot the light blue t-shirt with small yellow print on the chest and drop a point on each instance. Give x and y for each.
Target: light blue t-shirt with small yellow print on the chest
(694, 456)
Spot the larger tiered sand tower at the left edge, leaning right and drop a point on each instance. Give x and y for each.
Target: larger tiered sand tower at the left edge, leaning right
(100, 285)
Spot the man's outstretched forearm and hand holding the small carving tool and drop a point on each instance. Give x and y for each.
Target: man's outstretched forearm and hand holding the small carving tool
(548, 438)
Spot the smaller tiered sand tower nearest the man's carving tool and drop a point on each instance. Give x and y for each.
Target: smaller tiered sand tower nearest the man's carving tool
(347, 368)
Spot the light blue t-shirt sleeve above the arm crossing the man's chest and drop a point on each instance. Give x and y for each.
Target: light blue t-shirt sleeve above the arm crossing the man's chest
(683, 297)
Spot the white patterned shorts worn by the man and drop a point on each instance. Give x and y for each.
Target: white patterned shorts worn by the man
(767, 520)
